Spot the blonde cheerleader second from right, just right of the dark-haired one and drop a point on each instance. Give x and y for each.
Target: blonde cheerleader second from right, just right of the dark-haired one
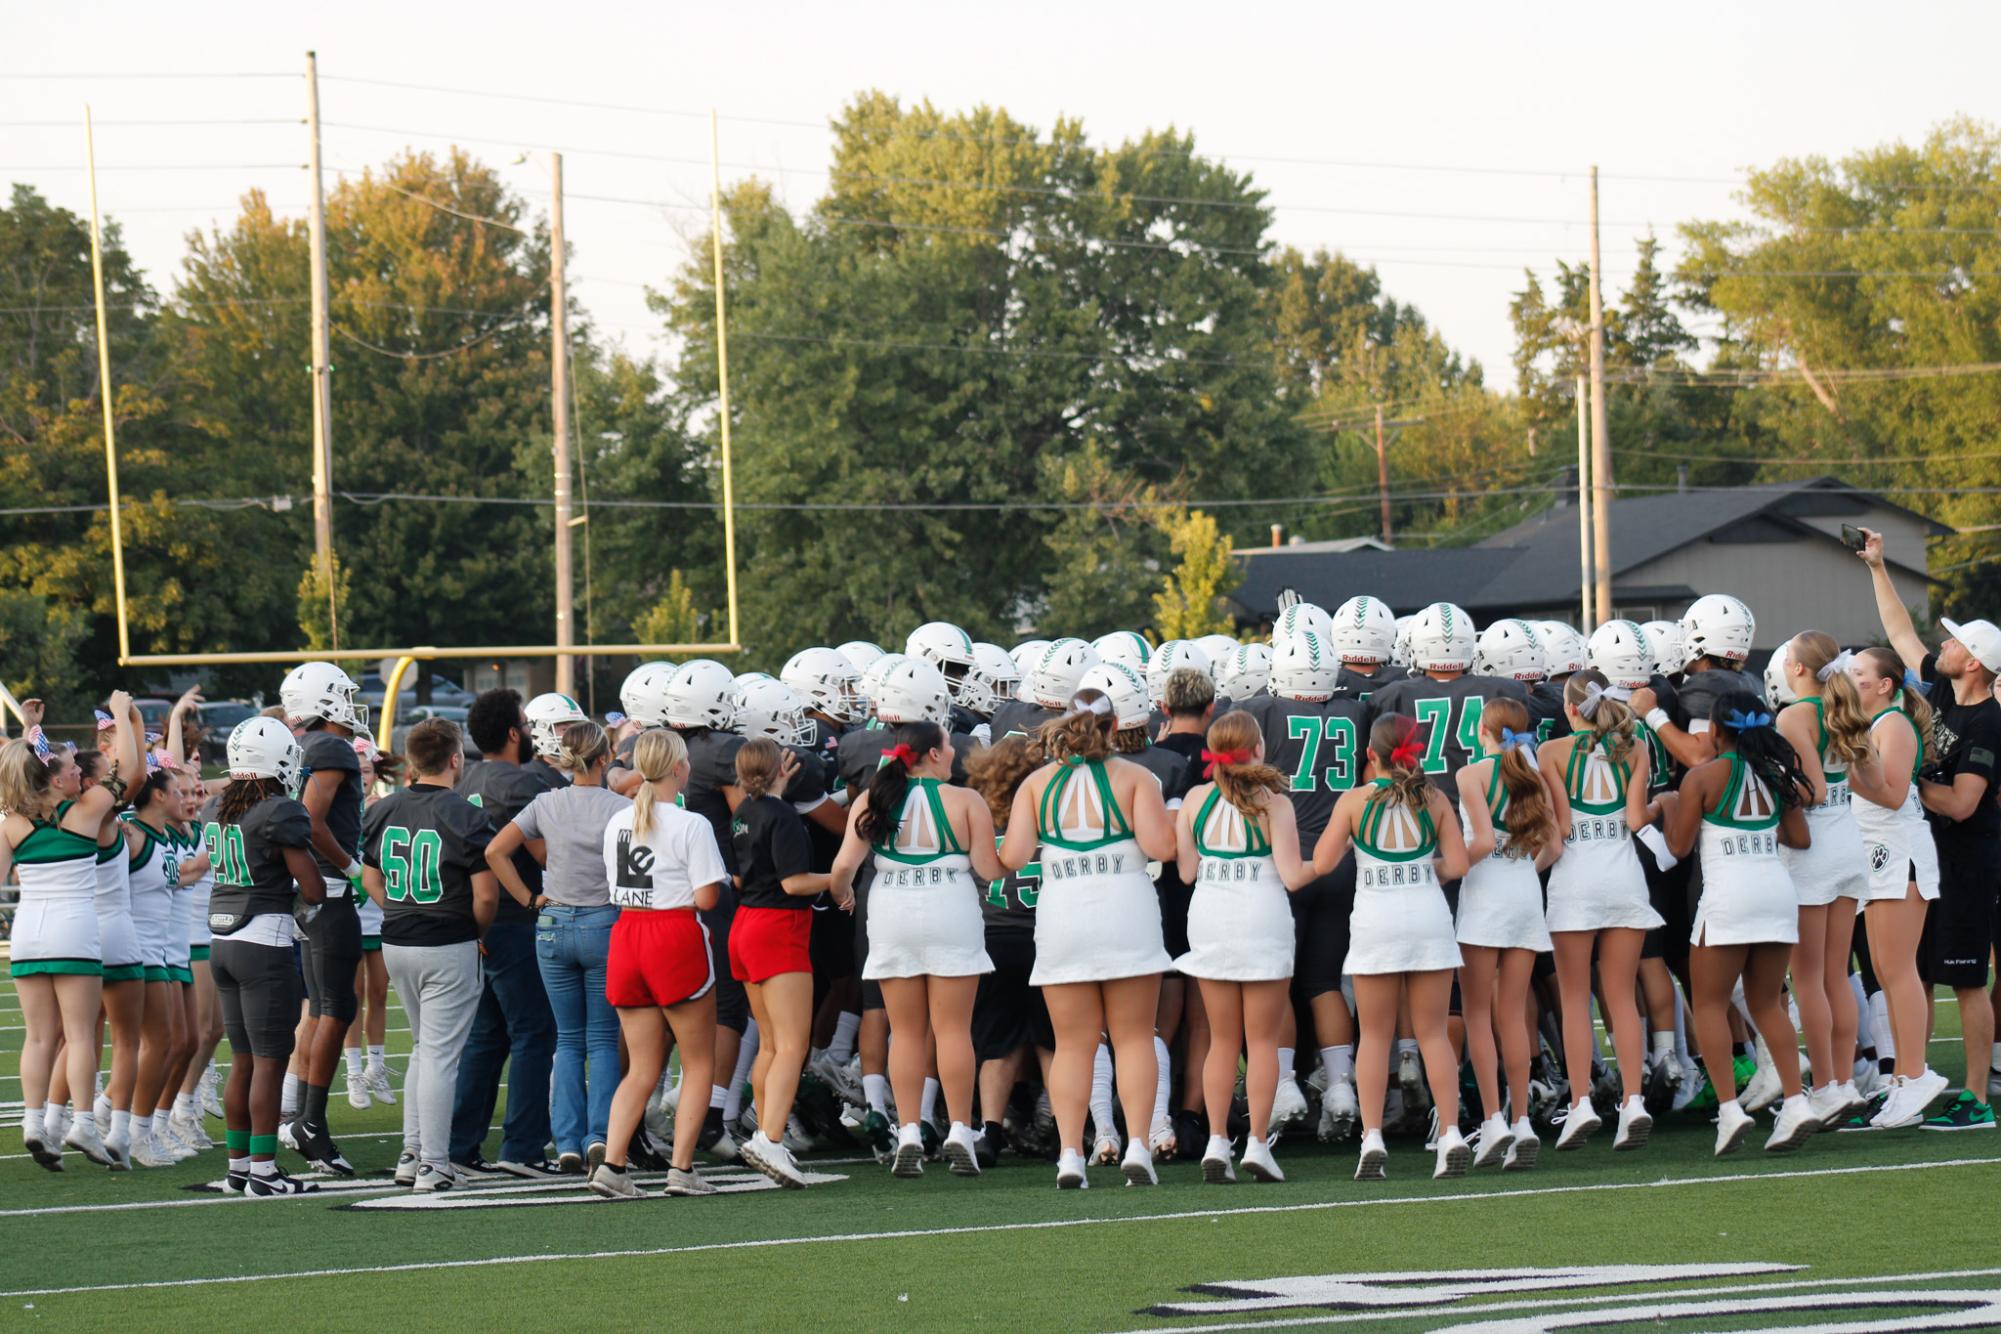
(1830, 733)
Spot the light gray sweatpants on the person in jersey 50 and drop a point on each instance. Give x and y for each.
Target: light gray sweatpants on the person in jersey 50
(439, 987)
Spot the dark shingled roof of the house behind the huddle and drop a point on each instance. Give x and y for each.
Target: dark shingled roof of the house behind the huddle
(1536, 561)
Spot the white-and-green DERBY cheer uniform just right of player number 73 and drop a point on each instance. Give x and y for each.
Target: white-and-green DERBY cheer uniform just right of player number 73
(1402, 921)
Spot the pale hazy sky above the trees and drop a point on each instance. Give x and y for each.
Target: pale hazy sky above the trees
(1344, 113)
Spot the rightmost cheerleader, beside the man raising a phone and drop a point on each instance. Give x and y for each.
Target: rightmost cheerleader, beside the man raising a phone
(1904, 869)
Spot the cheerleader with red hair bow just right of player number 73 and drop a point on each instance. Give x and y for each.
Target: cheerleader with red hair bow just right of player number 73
(1402, 933)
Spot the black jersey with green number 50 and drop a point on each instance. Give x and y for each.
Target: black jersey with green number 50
(427, 843)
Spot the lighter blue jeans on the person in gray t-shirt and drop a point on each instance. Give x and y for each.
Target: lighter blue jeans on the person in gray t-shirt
(571, 947)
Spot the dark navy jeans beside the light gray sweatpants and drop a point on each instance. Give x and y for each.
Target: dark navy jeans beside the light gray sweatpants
(517, 1031)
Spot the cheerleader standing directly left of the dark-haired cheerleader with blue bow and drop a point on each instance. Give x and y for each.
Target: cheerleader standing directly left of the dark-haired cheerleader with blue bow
(1598, 895)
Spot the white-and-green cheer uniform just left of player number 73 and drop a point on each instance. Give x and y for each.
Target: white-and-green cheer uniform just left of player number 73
(1240, 915)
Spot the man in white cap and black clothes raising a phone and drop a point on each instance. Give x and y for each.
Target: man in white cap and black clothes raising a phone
(1958, 789)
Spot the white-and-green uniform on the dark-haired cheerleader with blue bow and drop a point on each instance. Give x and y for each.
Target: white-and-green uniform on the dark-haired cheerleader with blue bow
(1748, 897)
